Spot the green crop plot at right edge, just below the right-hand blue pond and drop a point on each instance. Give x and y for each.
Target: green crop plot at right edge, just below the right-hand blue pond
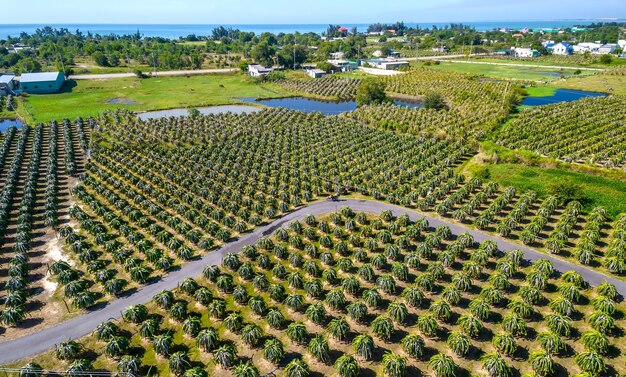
(590, 131)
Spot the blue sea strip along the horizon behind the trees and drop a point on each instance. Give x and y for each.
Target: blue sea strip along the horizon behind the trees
(175, 31)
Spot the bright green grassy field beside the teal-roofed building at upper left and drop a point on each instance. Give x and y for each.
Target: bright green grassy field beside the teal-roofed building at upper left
(89, 97)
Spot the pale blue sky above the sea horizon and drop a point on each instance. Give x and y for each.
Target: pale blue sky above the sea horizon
(312, 12)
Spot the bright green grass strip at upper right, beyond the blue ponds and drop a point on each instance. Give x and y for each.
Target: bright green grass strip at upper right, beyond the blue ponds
(507, 72)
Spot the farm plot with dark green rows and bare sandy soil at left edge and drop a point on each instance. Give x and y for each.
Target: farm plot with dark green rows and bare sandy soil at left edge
(36, 167)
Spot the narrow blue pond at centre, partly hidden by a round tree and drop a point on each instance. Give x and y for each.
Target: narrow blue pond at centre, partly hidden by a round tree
(309, 105)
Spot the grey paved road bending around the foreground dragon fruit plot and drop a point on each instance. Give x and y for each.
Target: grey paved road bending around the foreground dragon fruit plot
(33, 344)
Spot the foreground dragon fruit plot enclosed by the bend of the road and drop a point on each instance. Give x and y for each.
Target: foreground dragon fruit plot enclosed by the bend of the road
(352, 294)
